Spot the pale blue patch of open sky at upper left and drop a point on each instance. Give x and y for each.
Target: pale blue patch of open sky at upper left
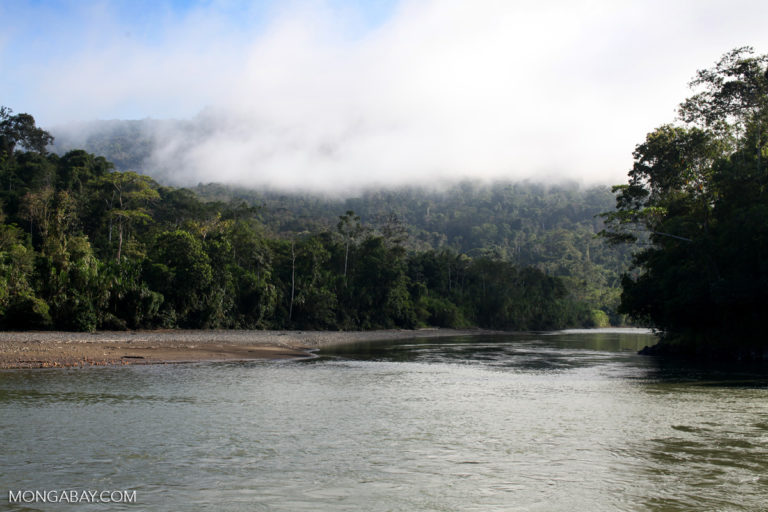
(36, 34)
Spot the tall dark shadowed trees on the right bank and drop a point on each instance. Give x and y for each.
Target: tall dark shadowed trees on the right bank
(697, 197)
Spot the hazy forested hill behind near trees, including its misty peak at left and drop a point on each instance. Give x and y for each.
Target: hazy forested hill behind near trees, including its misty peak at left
(549, 227)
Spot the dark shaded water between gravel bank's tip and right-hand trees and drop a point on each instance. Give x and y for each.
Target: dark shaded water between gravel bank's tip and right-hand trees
(556, 351)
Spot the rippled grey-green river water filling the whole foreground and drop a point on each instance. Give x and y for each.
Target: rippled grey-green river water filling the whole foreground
(573, 420)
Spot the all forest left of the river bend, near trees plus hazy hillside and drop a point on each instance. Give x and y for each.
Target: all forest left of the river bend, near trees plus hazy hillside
(84, 246)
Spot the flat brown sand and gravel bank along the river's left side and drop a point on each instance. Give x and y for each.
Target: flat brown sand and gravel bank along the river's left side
(67, 349)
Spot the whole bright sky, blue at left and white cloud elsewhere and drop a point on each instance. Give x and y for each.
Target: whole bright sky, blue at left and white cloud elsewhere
(329, 94)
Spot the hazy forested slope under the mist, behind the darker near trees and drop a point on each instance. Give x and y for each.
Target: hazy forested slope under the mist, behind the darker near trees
(552, 228)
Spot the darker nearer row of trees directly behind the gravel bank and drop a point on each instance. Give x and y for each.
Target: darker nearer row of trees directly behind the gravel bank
(84, 247)
